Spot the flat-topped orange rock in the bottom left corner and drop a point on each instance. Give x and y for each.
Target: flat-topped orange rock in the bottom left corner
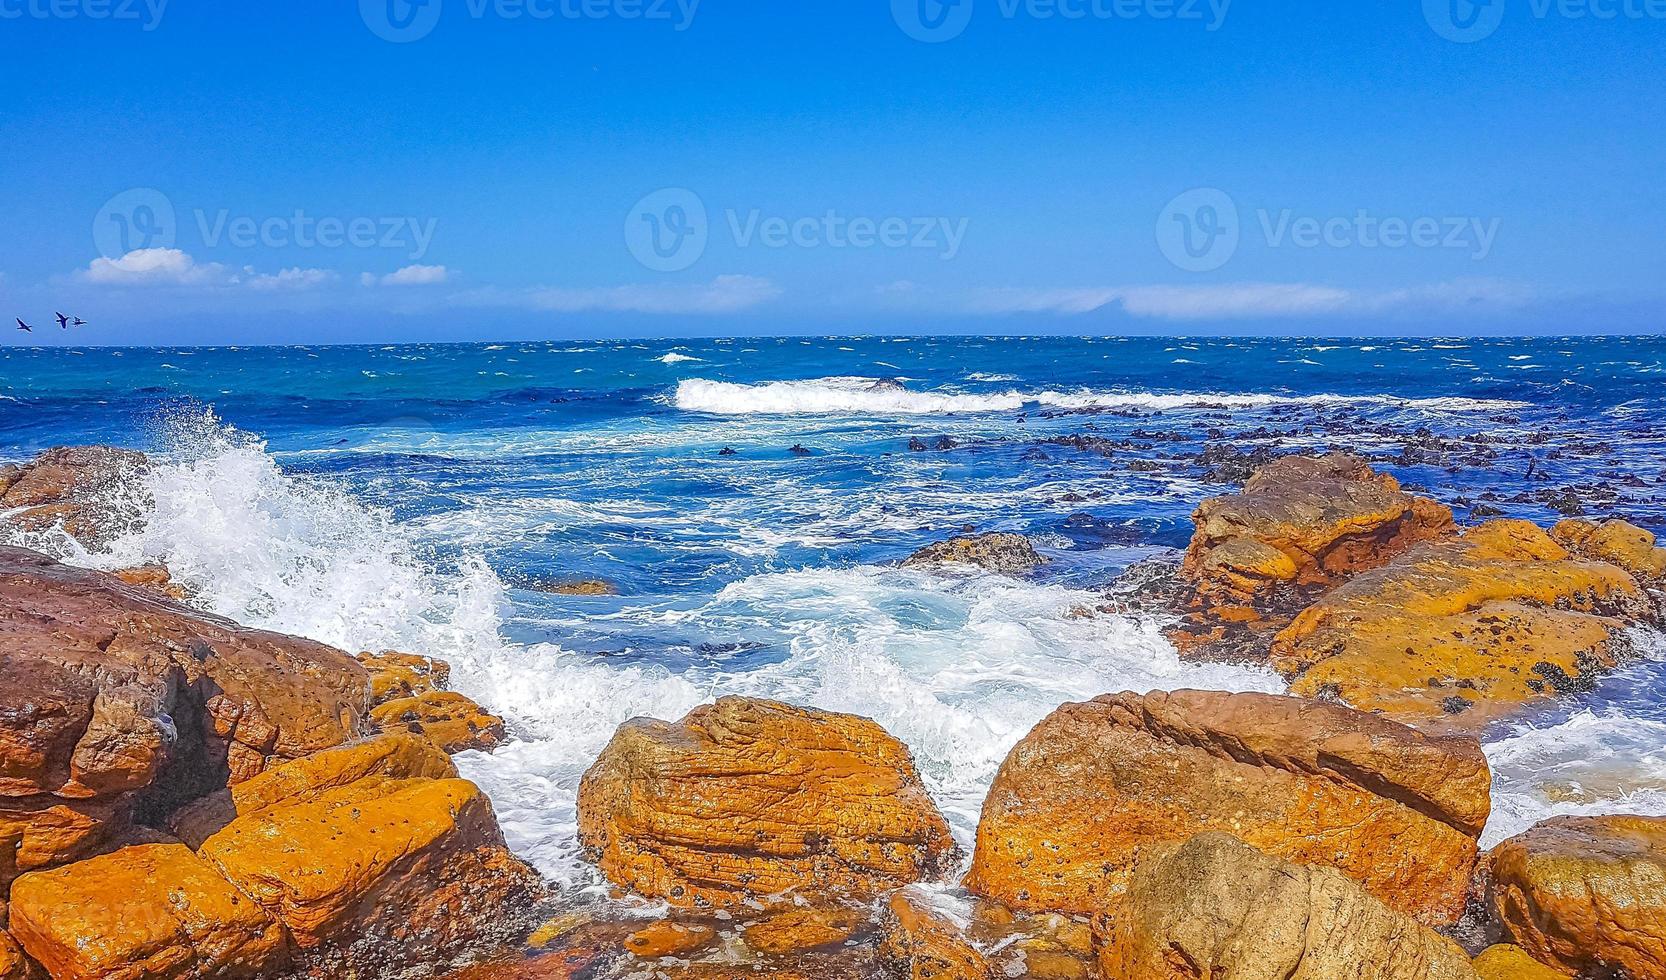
(151, 912)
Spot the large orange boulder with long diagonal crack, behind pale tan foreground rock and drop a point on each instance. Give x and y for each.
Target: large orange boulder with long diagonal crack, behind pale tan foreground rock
(1097, 786)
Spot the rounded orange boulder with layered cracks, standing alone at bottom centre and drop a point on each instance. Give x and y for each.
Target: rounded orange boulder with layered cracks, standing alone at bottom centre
(749, 799)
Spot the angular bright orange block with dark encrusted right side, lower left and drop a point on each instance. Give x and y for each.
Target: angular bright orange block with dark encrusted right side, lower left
(376, 862)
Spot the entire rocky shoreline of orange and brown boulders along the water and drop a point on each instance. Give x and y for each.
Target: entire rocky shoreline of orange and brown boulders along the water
(186, 797)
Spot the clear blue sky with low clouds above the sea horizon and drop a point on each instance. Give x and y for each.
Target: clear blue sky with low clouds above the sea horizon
(629, 167)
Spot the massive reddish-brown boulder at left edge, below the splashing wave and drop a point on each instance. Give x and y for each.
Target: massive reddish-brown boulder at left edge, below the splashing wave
(121, 701)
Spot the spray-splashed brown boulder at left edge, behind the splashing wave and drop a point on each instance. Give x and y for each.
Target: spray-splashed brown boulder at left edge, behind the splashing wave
(86, 491)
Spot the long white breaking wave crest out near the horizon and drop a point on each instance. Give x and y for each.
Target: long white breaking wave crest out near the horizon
(845, 396)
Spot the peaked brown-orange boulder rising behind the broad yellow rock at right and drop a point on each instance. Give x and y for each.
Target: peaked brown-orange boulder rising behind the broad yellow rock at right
(1299, 527)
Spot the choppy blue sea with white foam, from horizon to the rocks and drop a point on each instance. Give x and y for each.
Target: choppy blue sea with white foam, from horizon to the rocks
(426, 499)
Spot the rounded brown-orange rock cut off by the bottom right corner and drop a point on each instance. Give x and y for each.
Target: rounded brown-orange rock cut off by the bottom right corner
(1585, 894)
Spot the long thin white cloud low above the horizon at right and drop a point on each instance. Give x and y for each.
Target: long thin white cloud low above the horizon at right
(1250, 301)
